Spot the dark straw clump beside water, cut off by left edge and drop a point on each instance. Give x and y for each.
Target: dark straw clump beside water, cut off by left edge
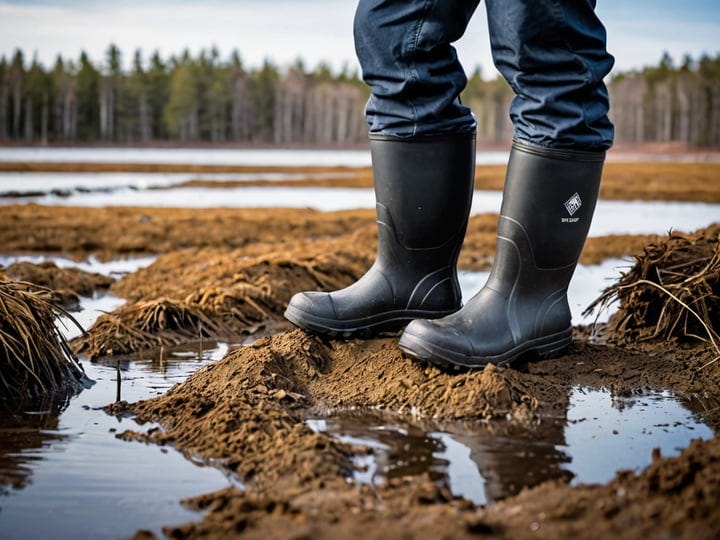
(36, 359)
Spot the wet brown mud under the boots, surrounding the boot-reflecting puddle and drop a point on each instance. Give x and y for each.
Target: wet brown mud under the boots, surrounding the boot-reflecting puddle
(247, 410)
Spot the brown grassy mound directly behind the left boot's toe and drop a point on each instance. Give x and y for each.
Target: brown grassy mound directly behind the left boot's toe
(194, 294)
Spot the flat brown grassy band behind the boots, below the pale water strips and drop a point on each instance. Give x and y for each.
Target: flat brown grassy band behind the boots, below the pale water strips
(116, 232)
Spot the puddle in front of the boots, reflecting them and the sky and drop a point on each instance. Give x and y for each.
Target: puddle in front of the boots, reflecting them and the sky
(602, 435)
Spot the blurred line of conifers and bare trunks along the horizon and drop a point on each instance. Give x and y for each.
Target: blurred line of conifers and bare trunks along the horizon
(190, 99)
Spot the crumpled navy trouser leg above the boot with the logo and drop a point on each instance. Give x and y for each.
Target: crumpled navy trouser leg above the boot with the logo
(553, 54)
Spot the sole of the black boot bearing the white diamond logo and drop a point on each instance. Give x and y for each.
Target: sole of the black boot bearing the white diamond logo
(542, 348)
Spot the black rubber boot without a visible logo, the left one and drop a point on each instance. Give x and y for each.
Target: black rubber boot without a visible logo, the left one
(423, 188)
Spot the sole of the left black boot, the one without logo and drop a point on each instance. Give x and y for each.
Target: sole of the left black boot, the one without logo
(367, 327)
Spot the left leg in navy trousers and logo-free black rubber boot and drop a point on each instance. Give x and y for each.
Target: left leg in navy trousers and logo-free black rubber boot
(422, 144)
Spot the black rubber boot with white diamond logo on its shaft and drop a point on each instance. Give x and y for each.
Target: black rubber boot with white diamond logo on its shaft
(548, 203)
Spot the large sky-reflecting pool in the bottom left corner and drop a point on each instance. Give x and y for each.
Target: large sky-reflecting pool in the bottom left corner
(65, 475)
